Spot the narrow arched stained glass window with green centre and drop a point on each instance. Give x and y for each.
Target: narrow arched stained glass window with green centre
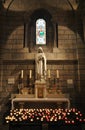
(40, 32)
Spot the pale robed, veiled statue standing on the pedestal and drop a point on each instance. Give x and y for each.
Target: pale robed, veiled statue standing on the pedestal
(41, 68)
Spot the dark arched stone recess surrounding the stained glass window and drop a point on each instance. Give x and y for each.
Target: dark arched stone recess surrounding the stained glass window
(30, 36)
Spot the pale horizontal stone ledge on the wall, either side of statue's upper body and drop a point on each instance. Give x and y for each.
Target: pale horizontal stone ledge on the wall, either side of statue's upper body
(31, 56)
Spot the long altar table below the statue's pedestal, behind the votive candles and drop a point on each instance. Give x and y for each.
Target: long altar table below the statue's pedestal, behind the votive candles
(40, 102)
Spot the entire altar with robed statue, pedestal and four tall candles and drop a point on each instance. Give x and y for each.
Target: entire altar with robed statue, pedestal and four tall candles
(41, 98)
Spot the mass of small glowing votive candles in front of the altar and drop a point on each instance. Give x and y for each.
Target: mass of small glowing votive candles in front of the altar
(70, 116)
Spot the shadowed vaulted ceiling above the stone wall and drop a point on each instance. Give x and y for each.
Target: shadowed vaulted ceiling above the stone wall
(26, 5)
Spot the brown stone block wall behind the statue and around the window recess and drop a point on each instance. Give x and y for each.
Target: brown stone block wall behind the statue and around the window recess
(67, 56)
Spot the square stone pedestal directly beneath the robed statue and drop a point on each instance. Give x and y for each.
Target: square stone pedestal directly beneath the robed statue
(40, 89)
